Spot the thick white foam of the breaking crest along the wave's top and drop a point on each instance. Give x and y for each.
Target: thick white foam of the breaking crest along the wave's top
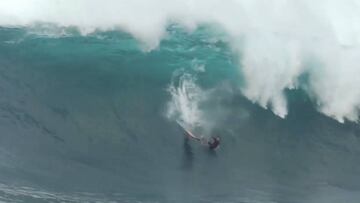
(279, 40)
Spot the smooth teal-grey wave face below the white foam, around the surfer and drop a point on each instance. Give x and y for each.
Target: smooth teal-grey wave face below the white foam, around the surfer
(86, 119)
